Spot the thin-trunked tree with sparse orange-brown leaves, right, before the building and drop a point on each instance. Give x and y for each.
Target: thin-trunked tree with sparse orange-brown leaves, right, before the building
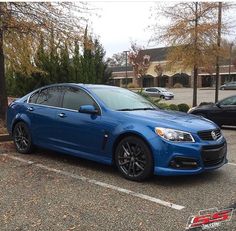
(192, 32)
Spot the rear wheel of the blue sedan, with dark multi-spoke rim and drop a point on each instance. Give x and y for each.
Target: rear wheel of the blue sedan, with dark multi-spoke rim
(22, 138)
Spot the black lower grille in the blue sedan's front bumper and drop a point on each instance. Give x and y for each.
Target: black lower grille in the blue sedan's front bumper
(213, 154)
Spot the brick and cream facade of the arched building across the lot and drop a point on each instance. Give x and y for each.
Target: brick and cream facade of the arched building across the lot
(168, 78)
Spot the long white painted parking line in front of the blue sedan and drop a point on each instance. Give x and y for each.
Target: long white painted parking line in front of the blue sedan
(99, 183)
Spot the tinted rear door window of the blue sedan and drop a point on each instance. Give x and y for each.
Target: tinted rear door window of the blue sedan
(50, 96)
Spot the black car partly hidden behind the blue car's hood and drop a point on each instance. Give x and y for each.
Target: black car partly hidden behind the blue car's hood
(222, 113)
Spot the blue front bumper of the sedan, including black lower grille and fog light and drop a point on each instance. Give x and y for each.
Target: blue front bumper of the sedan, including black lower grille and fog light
(190, 158)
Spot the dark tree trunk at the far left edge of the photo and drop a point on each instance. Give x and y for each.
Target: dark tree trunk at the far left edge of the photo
(3, 95)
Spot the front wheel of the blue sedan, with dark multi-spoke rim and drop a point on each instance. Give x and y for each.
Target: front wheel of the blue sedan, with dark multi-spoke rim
(133, 159)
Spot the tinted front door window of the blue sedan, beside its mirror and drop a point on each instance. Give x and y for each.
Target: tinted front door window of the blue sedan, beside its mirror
(74, 98)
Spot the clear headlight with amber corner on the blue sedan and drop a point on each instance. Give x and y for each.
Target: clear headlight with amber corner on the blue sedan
(174, 135)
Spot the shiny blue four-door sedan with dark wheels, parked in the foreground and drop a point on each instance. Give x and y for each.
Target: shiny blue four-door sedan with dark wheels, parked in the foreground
(113, 125)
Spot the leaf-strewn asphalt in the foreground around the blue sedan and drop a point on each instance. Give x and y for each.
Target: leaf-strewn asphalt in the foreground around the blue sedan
(51, 191)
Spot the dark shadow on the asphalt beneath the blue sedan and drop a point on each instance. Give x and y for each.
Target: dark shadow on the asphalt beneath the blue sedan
(111, 171)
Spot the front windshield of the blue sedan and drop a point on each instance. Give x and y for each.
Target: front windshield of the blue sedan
(122, 100)
